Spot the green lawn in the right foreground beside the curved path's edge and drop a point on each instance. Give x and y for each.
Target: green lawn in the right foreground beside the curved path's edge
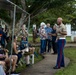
(71, 68)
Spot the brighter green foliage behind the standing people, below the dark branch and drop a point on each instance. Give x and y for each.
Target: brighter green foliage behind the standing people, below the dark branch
(66, 11)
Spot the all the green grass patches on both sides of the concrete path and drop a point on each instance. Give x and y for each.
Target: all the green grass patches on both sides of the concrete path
(69, 52)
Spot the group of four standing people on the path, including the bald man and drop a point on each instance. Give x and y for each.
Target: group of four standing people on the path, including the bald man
(54, 37)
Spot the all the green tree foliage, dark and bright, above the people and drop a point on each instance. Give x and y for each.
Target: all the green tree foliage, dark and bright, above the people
(47, 11)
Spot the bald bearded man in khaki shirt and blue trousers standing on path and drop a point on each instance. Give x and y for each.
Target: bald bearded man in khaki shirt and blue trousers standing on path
(61, 41)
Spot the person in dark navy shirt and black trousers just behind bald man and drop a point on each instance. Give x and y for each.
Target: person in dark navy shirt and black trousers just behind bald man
(54, 44)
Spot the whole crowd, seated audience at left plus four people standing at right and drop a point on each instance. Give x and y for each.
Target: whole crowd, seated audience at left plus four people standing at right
(50, 37)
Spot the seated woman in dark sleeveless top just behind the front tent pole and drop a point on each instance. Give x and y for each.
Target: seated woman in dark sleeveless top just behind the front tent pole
(15, 52)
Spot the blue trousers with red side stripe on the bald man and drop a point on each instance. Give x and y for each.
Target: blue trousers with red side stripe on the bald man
(60, 58)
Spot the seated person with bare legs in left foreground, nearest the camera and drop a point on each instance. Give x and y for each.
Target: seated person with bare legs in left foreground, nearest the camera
(5, 60)
